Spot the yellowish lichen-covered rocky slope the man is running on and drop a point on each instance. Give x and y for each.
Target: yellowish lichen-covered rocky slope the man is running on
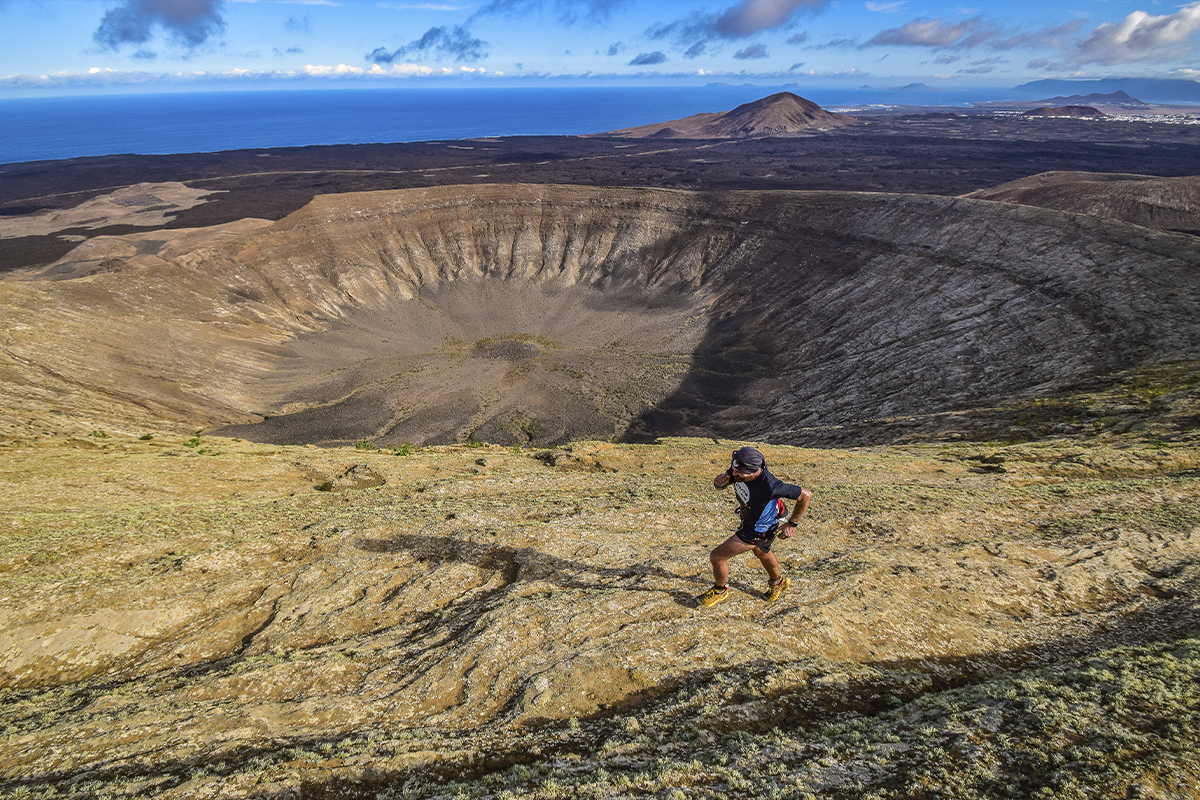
(190, 617)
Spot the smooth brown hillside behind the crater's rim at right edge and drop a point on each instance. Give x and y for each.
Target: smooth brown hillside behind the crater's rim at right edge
(1162, 203)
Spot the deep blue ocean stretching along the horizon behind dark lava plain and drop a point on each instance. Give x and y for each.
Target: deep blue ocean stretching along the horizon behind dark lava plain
(41, 129)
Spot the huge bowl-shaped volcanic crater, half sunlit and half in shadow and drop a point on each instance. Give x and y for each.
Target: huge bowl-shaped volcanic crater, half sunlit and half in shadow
(533, 315)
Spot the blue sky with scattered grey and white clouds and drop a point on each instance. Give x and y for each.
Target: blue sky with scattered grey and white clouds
(105, 46)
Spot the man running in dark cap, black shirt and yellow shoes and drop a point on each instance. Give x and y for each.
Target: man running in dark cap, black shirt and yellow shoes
(759, 496)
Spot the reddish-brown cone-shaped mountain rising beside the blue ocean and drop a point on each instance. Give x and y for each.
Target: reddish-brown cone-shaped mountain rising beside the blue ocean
(778, 116)
